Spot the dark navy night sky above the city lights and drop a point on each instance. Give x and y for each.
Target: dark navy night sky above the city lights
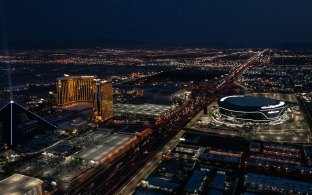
(202, 23)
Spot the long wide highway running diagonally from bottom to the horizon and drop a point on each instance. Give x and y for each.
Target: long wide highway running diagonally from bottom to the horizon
(113, 177)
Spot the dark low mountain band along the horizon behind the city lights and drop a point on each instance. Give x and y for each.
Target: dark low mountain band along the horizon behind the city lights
(126, 44)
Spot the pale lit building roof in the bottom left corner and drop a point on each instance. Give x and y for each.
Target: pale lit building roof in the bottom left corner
(18, 184)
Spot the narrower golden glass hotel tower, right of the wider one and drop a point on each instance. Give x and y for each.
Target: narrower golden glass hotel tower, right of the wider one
(103, 100)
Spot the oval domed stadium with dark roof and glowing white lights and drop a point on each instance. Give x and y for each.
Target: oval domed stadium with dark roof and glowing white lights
(250, 108)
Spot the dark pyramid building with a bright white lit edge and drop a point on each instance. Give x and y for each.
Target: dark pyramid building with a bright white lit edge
(18, 125)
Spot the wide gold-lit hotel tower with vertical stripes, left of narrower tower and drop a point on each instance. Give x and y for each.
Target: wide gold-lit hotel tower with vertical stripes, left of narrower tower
(75, 89)
